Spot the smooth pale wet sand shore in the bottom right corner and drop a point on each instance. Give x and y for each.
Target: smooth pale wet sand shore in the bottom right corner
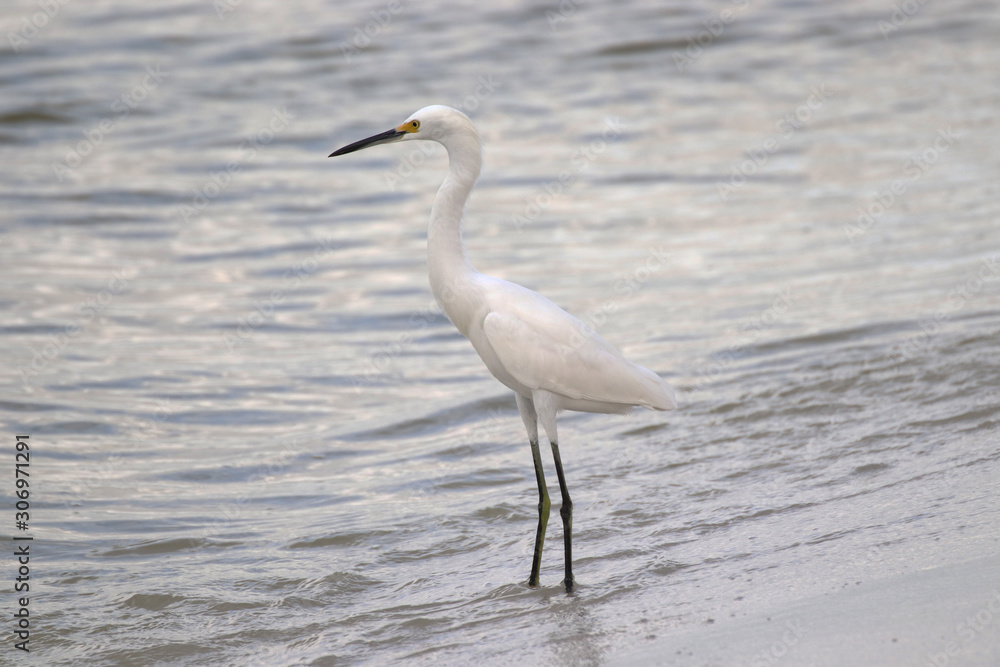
(940, 617)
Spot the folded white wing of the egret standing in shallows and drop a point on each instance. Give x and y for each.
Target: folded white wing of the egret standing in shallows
(544, 347)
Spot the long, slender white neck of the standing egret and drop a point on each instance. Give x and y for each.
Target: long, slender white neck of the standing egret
(451, 273)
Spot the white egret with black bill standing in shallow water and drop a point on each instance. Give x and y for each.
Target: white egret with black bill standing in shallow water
(550, 359)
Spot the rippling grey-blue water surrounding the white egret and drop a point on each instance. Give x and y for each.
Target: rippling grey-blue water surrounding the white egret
(254, 438)
